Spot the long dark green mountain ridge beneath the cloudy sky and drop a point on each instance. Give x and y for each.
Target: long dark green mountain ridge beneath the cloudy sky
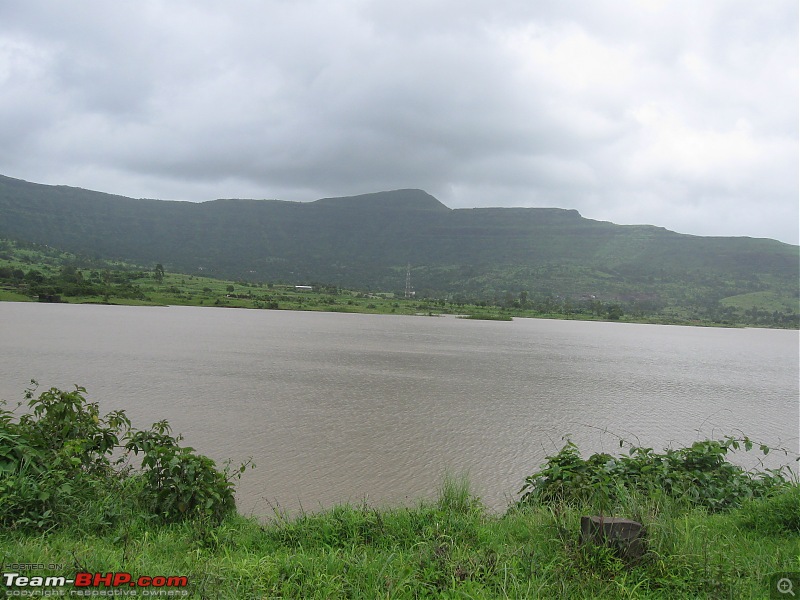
(366, 242)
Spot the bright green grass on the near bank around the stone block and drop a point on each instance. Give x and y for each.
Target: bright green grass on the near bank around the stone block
(447, 548)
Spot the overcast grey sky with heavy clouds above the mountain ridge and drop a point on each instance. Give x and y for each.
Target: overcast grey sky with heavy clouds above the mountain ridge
(678, 113)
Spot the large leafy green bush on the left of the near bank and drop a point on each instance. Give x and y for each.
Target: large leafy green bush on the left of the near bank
(63, 463)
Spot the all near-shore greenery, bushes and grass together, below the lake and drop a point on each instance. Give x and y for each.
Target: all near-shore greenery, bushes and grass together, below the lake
(71, 502)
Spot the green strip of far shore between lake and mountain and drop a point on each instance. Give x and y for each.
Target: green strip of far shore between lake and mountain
(30, 272)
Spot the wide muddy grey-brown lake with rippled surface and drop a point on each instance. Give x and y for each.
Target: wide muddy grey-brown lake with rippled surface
(348, 407)
